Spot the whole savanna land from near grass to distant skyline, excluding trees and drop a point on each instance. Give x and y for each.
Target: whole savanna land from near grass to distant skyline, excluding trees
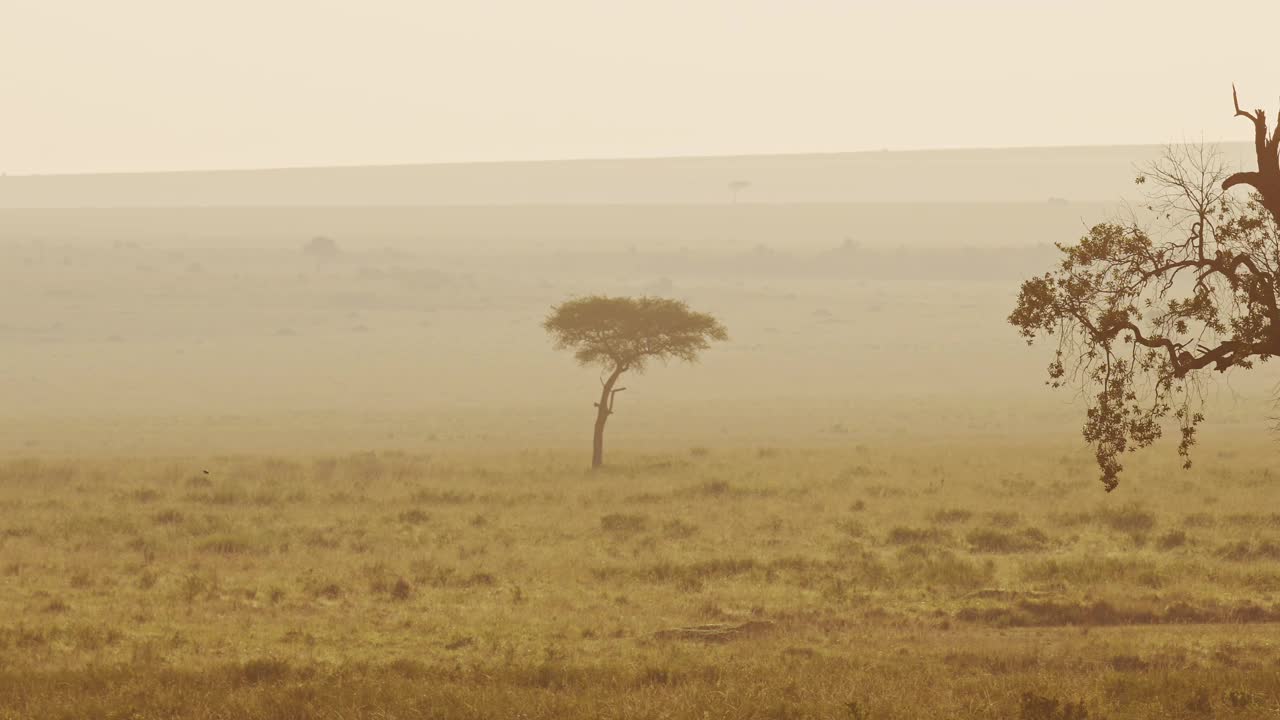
(244, 480)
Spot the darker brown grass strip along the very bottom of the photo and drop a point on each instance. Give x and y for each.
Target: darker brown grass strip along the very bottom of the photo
(1020, 683)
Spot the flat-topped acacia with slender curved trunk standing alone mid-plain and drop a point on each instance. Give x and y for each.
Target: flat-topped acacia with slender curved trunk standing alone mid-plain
(623, 335)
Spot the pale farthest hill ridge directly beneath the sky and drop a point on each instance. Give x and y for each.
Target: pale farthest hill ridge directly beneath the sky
(1032, 175)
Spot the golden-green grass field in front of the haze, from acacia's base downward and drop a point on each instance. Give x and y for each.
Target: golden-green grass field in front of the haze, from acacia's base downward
(895, 582)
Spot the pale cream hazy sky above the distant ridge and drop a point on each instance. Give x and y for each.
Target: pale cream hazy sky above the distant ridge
(140, 85)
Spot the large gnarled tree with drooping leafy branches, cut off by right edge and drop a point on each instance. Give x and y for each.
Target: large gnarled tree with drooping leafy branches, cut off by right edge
(1142, 315)
